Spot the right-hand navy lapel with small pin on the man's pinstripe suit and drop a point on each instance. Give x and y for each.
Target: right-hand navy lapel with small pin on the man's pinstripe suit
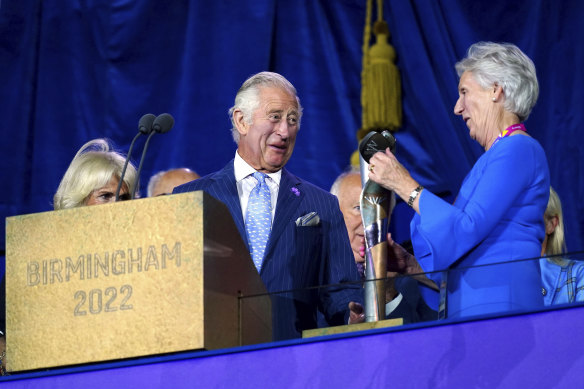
(290, 196)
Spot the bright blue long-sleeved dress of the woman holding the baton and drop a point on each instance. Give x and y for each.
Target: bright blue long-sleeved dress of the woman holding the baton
(497, 217)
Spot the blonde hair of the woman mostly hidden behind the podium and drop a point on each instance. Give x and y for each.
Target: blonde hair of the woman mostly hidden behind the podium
(92, 168)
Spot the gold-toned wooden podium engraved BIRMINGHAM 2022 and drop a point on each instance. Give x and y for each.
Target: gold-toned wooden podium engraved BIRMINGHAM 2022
(128, 279)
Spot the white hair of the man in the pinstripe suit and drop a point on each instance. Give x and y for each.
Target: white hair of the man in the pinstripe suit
(247, 98)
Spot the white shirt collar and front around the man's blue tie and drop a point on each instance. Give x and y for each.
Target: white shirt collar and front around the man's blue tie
(245, 183)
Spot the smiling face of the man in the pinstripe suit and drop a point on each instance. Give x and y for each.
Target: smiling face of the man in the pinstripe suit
(267, 143)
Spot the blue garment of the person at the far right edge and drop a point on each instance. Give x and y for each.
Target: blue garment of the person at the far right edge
(562, 284)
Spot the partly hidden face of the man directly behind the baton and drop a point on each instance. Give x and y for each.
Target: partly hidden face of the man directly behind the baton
(349, 202)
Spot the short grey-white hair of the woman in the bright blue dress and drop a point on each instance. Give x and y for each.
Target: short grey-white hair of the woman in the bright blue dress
(503, 64)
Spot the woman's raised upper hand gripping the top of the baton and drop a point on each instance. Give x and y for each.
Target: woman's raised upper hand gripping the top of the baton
(385, 170)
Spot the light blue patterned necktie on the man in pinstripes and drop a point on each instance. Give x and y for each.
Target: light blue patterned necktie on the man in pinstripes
(258, 219)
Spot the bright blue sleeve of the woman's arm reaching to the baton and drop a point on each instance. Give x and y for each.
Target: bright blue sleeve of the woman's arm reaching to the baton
(446, 232)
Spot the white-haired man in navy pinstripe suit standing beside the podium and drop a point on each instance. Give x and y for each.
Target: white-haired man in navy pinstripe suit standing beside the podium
(308, 244)
